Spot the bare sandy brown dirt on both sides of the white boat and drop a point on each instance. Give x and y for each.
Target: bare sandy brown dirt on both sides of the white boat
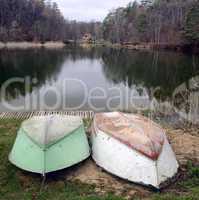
(185, 145)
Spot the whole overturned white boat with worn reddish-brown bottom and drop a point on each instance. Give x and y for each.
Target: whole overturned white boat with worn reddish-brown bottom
(132, 147)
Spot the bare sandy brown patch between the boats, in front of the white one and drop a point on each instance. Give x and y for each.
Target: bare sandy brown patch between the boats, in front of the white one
(90, 173)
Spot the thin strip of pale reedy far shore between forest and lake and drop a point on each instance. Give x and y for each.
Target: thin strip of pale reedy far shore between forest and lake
(131, 46)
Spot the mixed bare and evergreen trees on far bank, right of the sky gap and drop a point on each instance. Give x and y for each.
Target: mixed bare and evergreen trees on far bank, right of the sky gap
(154, 21)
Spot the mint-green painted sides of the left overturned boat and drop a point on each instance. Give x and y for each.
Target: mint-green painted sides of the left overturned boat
(69, 151)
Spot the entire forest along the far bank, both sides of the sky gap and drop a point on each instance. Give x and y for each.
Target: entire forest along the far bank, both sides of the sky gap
(146, 21)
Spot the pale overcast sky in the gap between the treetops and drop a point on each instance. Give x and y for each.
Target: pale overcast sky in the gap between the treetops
(86, 10)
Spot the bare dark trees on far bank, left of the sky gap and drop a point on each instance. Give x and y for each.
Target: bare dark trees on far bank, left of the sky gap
(39, 20)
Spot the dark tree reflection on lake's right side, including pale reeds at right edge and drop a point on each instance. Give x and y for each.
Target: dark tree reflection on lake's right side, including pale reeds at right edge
(167, 76)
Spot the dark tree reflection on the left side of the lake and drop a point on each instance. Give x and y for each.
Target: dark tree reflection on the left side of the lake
(39, 64)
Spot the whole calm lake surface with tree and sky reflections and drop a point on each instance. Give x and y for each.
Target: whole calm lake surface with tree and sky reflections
(98, 79)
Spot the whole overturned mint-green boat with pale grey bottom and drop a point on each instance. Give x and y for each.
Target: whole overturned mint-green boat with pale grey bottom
(46, 144)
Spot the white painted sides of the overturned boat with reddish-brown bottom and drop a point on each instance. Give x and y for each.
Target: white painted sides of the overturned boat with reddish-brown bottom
(125, 162)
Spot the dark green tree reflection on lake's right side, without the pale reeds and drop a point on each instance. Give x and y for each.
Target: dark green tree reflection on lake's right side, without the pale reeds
(165, 70)
